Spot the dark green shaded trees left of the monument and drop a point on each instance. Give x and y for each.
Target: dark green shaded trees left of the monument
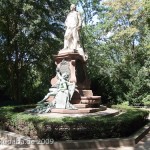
(30, 33)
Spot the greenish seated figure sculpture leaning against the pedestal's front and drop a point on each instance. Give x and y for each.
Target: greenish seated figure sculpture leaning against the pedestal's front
(62, 92)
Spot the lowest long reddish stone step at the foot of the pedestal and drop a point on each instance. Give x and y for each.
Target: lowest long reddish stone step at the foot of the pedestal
(76, 111)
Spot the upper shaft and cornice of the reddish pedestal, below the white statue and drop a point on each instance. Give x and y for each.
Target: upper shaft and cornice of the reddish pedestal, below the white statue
(77, 68)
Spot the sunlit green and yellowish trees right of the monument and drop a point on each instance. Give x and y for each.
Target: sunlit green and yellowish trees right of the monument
(118, 49)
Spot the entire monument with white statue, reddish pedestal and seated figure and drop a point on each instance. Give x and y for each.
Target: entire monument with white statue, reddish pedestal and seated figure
(70, 91)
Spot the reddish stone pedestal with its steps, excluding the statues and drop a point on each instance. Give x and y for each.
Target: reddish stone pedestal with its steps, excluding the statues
(83, 98)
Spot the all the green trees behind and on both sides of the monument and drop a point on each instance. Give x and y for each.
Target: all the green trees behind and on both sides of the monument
(115, 35)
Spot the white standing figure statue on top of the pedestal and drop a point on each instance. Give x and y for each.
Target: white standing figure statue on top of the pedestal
(71, 39)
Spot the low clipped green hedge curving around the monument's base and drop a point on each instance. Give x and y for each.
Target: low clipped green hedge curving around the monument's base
(69, 128)
